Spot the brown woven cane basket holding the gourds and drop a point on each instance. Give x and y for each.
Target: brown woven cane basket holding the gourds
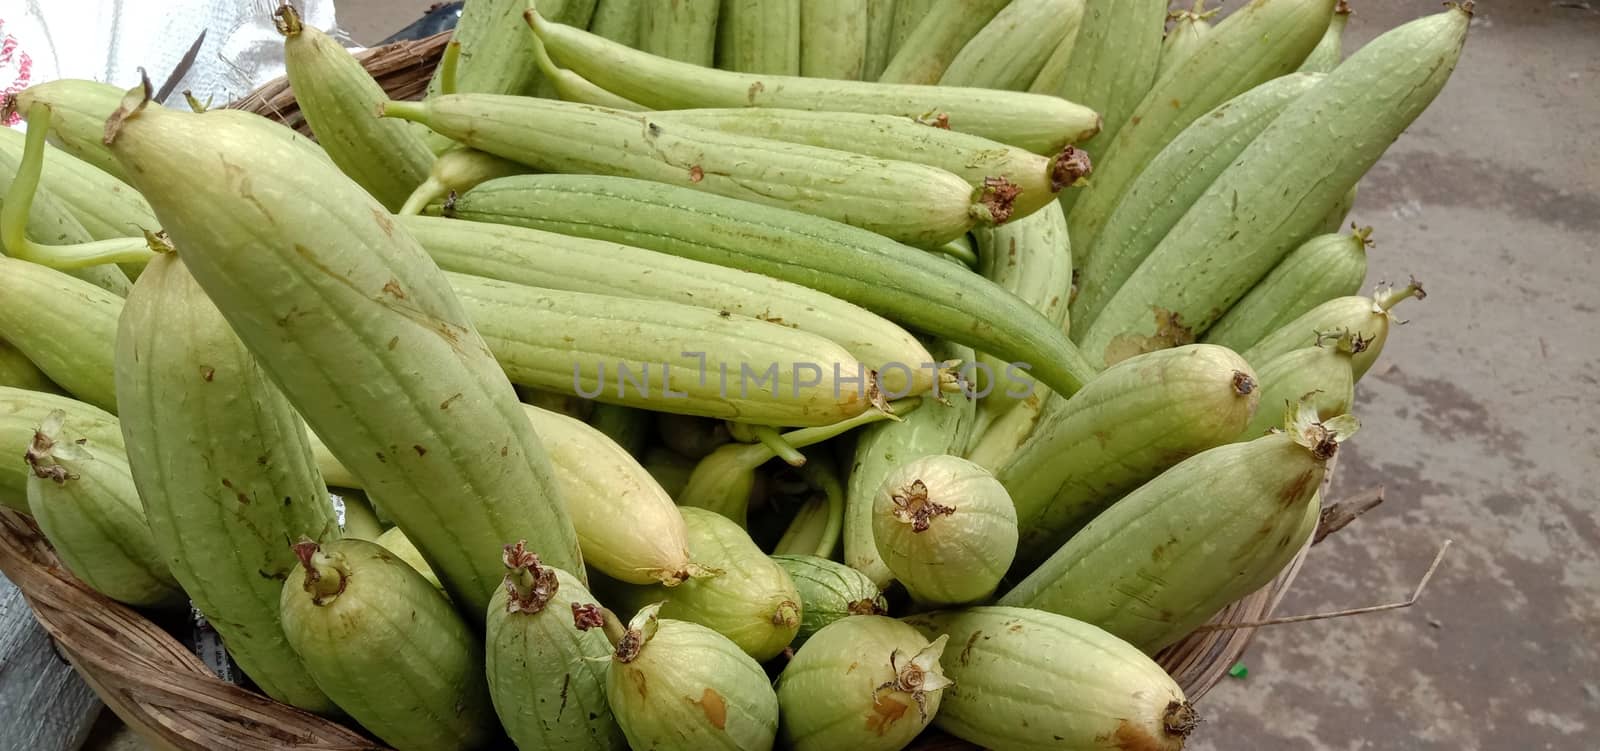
(167, 696)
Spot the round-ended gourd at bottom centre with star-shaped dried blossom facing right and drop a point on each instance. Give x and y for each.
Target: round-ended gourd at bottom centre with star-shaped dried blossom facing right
(866, 685)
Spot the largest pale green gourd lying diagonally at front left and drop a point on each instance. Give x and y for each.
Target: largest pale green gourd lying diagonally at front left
(361, 331)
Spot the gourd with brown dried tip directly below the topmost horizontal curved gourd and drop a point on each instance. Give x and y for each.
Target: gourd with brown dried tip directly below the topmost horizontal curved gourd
(1034, 180)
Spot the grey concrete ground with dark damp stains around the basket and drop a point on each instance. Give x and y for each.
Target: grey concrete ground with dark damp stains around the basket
(1481, 424)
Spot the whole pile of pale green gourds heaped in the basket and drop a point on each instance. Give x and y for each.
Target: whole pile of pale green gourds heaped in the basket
(1065, 340)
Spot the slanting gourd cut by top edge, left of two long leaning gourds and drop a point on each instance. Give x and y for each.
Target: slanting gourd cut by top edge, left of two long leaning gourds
(1254, 46)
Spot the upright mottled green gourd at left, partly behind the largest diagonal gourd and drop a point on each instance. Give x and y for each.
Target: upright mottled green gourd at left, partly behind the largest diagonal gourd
(225, 472)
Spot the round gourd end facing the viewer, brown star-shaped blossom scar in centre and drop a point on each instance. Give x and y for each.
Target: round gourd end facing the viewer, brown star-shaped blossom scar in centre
(946, 528)
